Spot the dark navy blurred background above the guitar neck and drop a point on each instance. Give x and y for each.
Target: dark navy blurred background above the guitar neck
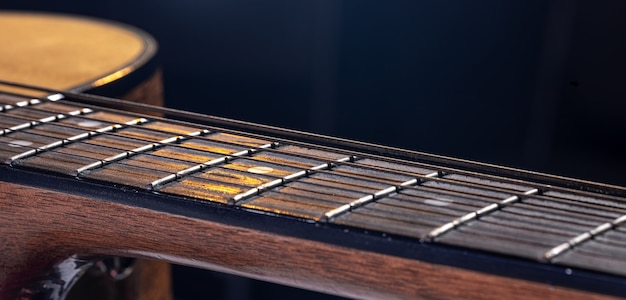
(532, 84)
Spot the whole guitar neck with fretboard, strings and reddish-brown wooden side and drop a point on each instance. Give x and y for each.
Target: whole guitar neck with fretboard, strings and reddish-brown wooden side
(85, 176)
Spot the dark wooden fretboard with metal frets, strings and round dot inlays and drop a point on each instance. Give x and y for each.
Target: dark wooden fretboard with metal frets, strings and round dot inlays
(565, 224)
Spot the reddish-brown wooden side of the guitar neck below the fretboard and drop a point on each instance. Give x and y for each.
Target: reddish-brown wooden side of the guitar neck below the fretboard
(39, 227)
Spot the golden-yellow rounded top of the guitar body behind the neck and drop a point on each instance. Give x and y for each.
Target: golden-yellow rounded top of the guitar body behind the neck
(68, 52)
